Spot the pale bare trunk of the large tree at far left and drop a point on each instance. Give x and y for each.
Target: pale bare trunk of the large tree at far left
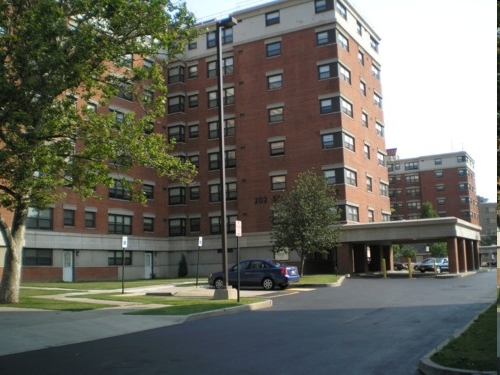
(14, 241)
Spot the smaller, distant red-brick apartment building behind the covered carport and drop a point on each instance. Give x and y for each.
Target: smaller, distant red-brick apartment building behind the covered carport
(447, 181)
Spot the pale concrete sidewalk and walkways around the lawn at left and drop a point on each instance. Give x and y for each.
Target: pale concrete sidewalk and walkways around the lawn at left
(29, 329)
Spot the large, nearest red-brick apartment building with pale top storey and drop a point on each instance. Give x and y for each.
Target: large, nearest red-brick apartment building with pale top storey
(302, 90)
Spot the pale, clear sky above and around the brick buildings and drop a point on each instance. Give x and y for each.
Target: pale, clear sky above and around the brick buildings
(438, 60)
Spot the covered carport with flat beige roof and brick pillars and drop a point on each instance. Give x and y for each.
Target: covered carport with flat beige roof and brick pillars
(363, 246)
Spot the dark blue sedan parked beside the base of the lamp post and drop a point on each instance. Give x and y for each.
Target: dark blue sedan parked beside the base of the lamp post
(254, 272)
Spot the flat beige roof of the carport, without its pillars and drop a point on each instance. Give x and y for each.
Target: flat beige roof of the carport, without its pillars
(405, 231)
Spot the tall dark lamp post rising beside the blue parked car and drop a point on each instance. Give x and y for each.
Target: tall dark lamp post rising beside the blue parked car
(221, 25)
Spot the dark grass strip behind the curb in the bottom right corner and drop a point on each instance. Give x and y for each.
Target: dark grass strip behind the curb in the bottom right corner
(475, 349)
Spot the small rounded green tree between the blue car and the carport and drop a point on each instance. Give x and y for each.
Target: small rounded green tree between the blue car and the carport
(305, 218)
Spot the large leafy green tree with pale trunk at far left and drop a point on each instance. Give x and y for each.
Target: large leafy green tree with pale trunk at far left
(58, 53)
